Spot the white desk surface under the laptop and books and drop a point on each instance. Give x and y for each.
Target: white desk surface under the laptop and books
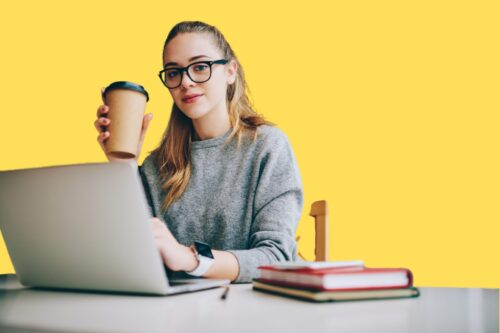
(244, 310)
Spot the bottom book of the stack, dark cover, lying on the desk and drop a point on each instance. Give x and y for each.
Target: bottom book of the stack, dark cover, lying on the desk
(334, 296)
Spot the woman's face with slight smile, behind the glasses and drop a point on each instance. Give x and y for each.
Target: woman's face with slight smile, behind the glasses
(196, 100)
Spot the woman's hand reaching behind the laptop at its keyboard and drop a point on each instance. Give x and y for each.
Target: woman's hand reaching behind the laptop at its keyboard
(176, 256)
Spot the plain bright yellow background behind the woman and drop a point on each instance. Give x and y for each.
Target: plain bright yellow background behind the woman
(392, 108)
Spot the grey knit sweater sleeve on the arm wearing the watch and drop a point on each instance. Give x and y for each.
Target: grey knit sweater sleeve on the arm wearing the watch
(277, 206)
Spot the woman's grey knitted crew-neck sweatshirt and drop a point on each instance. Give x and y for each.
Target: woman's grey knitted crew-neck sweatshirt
(247, 201)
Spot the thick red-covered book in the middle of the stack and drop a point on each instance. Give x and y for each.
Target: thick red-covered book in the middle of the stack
(338, 278)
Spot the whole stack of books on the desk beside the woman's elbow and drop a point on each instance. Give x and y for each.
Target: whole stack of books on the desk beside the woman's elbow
(335, 281)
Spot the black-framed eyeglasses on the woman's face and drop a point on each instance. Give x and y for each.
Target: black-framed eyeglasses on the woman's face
(198, 72)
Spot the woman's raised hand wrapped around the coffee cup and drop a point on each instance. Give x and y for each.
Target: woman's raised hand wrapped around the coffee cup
(102, 123)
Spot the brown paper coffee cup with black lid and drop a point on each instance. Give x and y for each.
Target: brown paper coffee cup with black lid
(127, 104)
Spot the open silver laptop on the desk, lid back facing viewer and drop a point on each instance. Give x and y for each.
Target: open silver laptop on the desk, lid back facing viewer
(85, 226)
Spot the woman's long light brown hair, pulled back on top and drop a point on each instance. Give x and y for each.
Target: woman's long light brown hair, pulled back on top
(174, 152)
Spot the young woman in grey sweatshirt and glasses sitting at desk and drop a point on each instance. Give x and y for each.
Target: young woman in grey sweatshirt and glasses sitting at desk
(222, 177)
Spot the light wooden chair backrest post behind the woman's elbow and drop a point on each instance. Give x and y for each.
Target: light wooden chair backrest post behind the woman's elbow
(319, 210)
